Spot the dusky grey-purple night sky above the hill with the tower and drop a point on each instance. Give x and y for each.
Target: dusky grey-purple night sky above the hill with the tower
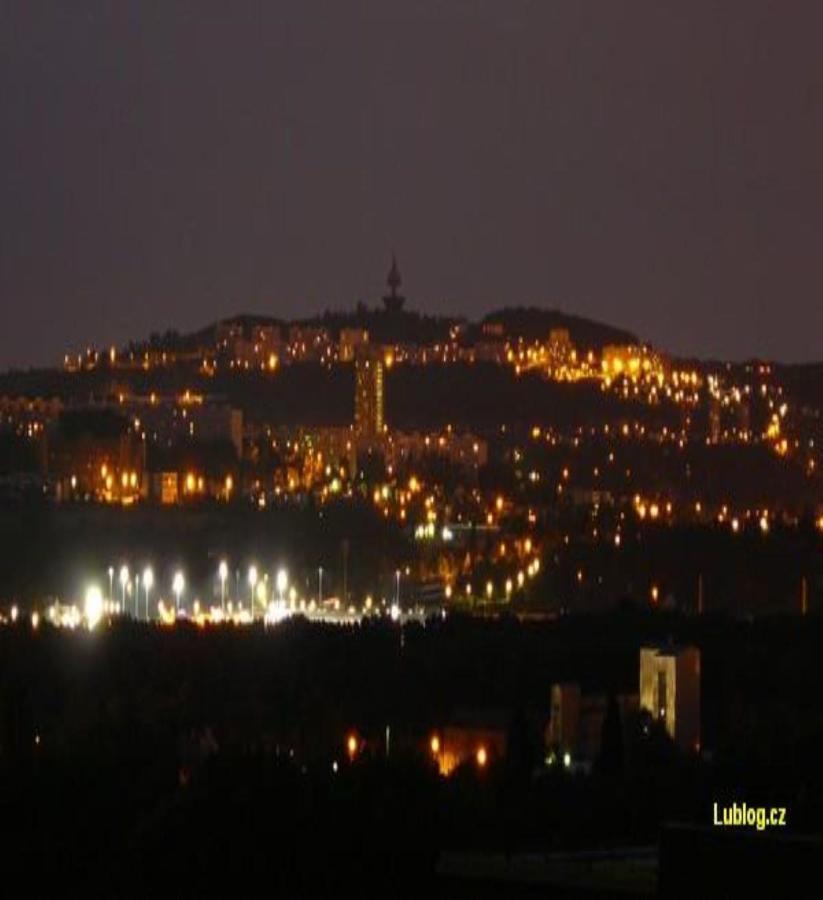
(658, 165)
